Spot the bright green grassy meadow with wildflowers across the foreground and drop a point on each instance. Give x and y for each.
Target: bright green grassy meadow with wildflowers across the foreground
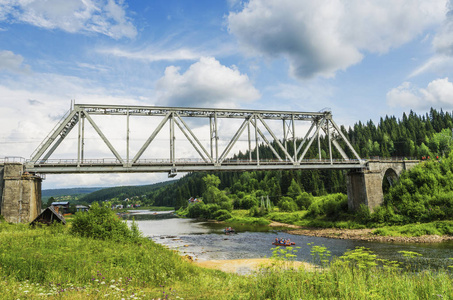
(50, 263)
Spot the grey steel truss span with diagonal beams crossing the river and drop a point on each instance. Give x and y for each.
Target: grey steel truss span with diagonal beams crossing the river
(211, 156)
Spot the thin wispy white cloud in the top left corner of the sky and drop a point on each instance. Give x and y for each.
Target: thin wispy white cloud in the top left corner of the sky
(106, 17)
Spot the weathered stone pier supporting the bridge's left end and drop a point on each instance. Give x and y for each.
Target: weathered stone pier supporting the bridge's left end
(20, 193)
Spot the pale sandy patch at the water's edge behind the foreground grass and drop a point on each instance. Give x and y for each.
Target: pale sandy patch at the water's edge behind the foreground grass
(247, 266)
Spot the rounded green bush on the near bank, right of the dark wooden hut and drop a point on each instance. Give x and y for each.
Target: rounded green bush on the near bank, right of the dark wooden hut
(100, 222)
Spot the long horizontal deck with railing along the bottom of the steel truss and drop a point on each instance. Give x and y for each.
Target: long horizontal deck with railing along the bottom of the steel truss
(183, 165)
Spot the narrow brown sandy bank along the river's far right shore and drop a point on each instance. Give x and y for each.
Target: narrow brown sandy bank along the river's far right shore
(359, 234)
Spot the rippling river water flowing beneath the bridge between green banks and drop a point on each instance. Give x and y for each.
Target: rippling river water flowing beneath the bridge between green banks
(206, 241)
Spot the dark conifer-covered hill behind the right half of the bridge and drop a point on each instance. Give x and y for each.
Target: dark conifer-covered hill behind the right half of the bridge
(411, 136)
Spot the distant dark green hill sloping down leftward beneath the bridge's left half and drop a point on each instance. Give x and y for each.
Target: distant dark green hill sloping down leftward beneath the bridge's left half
(122, 192)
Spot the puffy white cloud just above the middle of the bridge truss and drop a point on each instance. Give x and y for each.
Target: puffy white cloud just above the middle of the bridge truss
(206, 83)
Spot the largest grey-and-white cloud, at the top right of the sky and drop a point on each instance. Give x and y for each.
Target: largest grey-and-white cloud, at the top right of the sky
(322, 37)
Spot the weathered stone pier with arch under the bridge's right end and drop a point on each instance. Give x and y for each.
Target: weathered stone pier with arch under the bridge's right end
(365, 186)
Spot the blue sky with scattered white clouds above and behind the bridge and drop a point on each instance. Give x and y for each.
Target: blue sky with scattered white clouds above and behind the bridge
(363, 59)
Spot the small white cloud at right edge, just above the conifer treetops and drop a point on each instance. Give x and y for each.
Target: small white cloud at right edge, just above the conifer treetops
(438, 94)
